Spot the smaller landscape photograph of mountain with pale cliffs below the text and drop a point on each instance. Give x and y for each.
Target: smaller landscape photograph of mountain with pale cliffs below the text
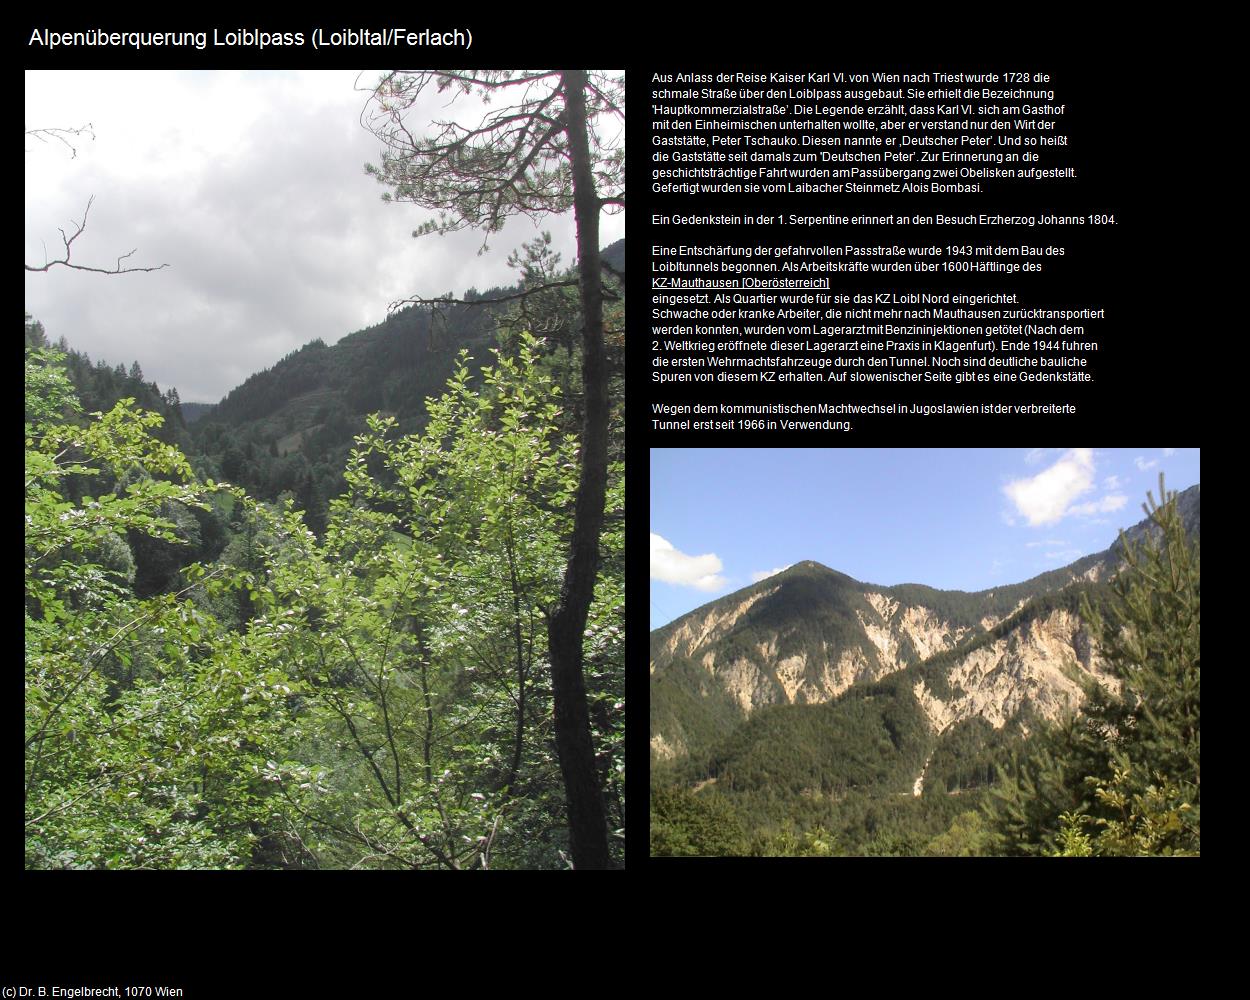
(924, 653)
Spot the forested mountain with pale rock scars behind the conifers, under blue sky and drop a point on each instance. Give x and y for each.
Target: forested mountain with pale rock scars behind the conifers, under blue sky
(828, 702)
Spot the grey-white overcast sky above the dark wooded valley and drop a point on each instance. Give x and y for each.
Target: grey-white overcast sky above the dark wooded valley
(252, 188)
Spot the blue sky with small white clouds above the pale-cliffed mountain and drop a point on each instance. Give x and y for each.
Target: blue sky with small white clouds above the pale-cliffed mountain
(954, 519)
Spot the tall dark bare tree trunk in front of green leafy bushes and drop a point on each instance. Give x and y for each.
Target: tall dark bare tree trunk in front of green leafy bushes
(567, 623)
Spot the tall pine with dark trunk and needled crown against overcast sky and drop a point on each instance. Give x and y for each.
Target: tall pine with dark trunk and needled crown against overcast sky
(554, 146)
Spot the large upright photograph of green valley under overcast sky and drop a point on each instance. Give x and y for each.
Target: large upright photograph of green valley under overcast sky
(326, 471)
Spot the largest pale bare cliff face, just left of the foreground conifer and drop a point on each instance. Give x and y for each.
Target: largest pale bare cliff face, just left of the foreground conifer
(1039, 664)
